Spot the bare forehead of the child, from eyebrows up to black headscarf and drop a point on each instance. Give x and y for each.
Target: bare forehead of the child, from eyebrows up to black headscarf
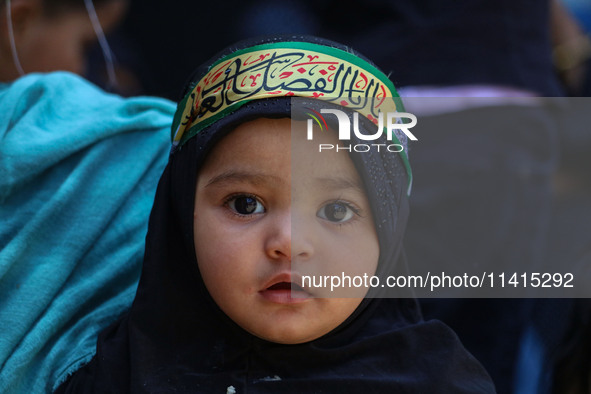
(278, 147)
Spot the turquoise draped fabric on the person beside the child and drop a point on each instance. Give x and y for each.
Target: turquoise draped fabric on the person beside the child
(78, 174)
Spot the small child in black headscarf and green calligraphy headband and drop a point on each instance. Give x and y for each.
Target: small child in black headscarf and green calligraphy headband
(243, 206)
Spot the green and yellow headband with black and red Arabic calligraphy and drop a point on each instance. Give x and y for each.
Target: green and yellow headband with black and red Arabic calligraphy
(286, 69)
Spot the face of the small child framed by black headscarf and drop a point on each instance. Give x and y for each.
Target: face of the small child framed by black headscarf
(255, 215)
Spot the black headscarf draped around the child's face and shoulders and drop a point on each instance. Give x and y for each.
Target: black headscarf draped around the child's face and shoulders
(176, 339)
